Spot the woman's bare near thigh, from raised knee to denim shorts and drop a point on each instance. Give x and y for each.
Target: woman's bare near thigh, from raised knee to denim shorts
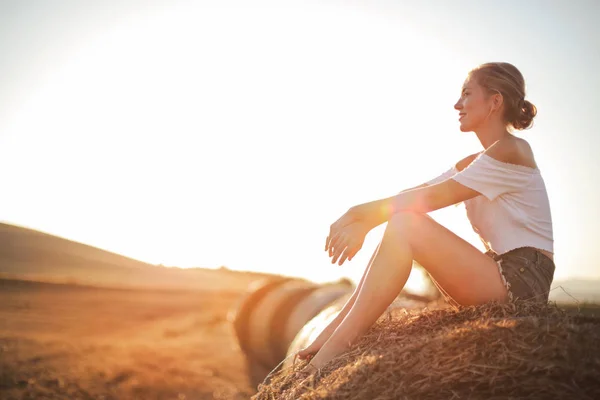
(463, 272)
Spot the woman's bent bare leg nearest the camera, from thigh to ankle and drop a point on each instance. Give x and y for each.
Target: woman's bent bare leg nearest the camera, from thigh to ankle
(465, 273)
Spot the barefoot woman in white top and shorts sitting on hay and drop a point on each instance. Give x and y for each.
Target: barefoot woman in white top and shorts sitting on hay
(506, 203)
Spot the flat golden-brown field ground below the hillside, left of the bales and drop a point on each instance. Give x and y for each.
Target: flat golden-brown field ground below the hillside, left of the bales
(61, 341)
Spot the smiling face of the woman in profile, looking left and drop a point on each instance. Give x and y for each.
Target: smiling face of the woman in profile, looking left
(474, 106)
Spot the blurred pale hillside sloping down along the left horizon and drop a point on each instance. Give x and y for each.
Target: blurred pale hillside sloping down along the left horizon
(32, 255)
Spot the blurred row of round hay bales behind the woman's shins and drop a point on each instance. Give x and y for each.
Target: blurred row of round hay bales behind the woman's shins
(272, 312)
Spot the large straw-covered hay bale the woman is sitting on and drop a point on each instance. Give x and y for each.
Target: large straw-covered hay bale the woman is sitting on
(493, 351)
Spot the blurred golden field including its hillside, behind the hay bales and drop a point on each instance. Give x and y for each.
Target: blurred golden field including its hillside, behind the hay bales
(114, 328)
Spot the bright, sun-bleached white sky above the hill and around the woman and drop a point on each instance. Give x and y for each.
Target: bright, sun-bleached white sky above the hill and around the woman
(233, 133)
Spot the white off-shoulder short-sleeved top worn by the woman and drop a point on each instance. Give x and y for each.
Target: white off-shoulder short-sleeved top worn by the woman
(513, 209)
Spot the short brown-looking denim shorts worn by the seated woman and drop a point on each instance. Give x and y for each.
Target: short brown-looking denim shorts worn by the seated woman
(527, 273)
